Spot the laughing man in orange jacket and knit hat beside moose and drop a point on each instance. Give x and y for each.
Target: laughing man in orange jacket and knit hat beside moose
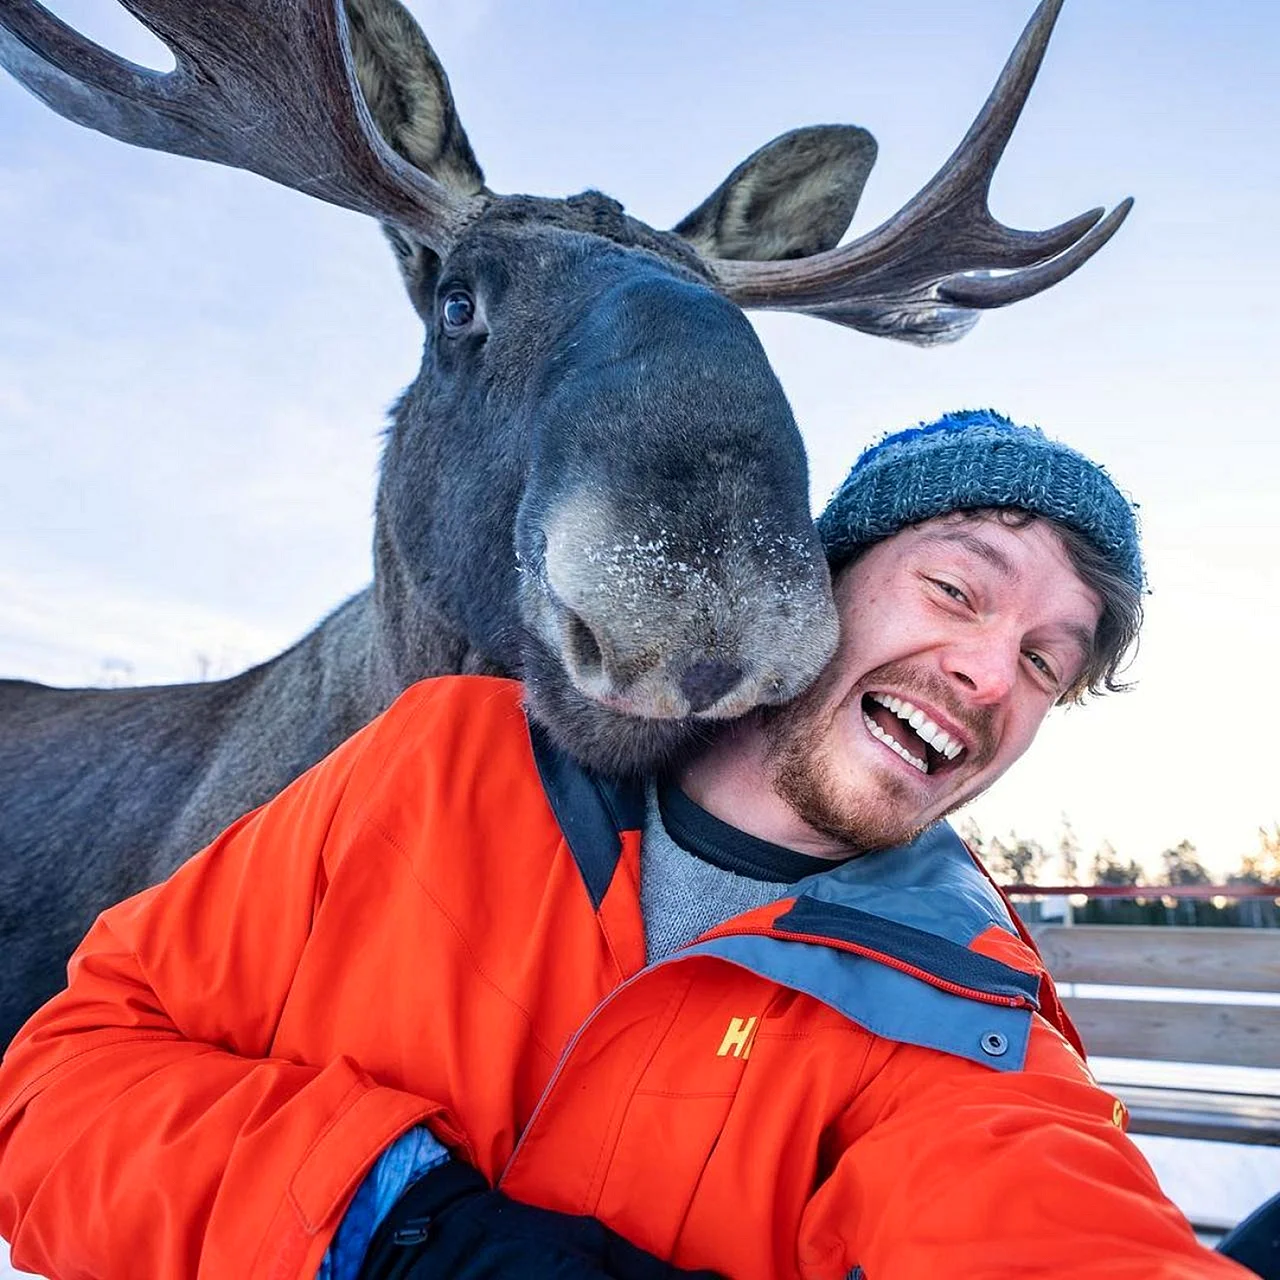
(440, 1011)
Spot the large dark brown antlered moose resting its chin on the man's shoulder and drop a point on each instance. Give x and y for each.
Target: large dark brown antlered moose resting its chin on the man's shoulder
(595, 483)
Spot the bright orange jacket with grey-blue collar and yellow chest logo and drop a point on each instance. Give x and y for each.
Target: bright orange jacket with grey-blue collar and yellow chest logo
(851, 1077)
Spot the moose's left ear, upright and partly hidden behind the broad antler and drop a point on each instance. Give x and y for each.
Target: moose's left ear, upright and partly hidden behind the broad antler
(409, 98)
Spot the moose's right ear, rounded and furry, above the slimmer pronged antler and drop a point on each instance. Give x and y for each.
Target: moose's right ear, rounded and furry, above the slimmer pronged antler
(794, 198)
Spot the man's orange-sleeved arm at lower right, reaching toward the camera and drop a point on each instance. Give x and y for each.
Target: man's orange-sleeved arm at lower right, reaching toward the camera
(953, 1169)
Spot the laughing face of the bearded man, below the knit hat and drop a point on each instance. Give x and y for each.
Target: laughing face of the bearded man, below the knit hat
(957, 638)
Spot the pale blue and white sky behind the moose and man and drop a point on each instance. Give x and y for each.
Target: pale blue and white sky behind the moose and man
(195, 367)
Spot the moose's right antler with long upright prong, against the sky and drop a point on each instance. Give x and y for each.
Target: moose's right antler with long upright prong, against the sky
(924, 275)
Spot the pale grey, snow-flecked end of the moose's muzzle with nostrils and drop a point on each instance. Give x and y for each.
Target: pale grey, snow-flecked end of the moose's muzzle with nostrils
(664, 627)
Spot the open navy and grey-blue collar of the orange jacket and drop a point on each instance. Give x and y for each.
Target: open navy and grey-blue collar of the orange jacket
(883, 939)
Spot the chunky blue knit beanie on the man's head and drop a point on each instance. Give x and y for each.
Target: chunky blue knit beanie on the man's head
(979, 459)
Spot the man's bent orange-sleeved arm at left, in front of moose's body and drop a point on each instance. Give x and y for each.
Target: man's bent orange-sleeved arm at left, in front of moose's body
(145, 1130)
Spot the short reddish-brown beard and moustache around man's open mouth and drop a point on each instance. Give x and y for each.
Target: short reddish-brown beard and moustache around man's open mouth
(880, 808)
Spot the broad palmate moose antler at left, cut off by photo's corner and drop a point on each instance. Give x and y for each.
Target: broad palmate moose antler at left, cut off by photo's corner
(260, 85)
